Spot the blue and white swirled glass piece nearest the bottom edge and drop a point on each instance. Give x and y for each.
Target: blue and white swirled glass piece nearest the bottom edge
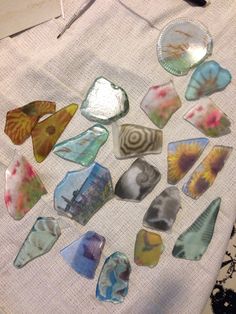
(113, 282)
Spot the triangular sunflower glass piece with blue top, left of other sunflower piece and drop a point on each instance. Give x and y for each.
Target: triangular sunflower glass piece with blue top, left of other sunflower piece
(182, 155)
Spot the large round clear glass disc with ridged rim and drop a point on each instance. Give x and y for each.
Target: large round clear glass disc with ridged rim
(182, 45)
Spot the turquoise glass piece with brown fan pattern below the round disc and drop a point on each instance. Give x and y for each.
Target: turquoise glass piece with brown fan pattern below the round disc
(207, 79)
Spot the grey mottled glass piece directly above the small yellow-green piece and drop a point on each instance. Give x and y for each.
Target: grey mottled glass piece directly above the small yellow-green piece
(163, 210)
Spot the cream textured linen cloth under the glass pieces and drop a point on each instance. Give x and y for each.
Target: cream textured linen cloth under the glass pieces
(117, 41)
